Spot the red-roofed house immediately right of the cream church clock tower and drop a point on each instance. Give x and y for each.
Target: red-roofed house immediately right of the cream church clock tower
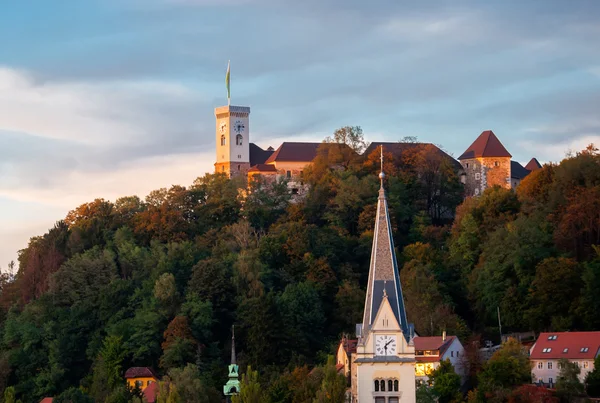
(430, 351)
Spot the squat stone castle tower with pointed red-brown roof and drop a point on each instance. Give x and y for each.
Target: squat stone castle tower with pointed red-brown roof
(486, 163)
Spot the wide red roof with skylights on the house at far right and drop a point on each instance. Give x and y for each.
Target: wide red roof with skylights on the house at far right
(570, 345)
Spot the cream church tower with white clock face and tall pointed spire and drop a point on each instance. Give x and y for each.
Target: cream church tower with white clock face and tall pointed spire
(384, 363)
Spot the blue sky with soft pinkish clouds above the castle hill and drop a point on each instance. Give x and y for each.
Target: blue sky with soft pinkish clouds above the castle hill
(110, 98)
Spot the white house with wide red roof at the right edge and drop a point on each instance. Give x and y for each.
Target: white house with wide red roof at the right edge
(578, 347)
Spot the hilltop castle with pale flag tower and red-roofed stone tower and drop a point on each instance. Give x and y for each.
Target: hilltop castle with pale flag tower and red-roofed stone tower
(485, 163)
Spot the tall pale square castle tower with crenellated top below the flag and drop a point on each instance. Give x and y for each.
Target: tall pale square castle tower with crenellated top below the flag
(233, 140)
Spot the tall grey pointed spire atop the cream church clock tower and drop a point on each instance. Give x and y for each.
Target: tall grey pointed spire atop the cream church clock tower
(384, 277)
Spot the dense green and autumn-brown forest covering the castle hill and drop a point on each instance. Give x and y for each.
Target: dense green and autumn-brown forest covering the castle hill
(160, 281)
